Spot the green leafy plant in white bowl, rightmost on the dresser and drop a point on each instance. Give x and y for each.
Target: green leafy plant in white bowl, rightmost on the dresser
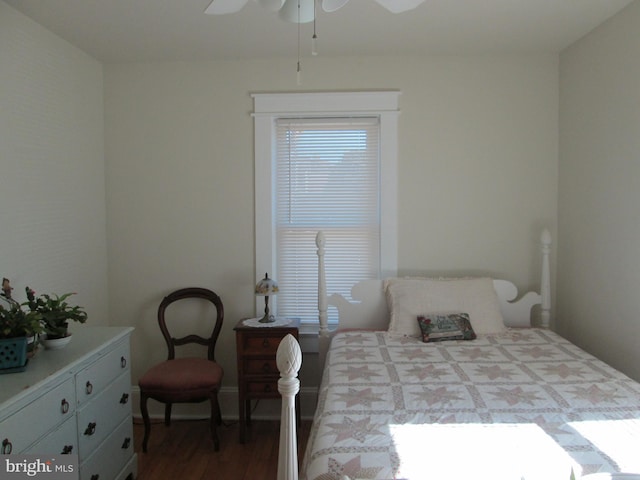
(55, 314)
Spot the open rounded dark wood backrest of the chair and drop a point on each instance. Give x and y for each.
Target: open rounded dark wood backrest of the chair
(189, 293)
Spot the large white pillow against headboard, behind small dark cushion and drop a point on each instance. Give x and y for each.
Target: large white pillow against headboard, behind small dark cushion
(409, 297)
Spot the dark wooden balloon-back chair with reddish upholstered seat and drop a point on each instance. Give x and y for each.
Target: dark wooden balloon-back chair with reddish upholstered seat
(189, 379)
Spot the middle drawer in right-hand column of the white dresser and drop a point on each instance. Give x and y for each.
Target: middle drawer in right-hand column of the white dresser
(104, 412)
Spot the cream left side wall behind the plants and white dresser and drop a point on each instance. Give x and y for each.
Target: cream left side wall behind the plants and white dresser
(52, 191)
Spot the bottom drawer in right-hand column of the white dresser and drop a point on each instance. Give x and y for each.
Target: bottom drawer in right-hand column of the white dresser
(114, 454)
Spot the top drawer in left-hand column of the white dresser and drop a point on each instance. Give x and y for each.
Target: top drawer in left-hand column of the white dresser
(44, 413)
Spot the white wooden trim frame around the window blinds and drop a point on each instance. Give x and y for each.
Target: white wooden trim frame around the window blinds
(268, 107)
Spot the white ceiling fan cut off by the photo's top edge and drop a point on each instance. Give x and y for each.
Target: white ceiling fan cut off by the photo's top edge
(288, 9)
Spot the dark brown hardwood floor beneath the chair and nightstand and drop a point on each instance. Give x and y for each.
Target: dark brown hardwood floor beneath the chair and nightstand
(185, 451)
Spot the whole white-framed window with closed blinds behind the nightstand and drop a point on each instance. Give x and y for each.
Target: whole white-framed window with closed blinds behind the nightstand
(324, 161)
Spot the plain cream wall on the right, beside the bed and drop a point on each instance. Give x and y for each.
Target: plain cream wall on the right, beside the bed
(599, 193)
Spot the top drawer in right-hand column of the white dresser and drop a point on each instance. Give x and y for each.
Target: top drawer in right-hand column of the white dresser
(93, 379)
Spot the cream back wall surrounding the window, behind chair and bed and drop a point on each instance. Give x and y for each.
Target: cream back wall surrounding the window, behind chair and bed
(477, 174)
